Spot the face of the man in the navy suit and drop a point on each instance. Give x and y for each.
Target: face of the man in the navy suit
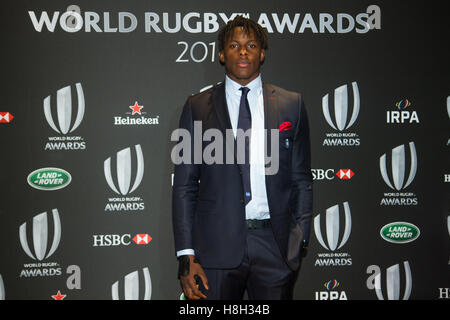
(242, 56)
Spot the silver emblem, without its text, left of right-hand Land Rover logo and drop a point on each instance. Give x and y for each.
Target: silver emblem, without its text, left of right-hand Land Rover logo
(332, 227)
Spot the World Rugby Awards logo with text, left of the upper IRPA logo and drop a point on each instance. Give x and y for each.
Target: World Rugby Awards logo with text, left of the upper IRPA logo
(341, 121)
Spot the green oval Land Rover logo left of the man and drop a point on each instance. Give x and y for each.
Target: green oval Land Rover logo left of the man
(49, 179)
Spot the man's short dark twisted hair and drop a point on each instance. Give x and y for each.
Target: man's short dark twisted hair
(247, 24)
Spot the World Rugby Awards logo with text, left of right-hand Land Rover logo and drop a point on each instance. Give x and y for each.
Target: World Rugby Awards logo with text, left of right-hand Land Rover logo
(332, 227)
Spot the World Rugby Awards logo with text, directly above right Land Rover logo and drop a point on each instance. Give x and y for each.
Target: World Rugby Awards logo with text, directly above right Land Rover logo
(396, 179)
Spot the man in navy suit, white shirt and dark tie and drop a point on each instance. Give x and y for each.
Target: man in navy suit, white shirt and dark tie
(243, 226)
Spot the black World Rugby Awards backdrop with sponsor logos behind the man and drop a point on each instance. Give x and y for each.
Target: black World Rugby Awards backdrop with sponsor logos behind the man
(91, 92)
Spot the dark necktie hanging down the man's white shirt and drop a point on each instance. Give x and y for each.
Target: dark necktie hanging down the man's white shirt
(245, 123)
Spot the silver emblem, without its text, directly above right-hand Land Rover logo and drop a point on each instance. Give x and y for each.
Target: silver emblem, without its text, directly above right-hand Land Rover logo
(398, 165)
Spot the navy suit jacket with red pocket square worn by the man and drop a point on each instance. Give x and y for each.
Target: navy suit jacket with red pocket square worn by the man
(208, 210)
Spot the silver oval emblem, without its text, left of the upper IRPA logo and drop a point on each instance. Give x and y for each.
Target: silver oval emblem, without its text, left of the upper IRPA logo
(341, 108)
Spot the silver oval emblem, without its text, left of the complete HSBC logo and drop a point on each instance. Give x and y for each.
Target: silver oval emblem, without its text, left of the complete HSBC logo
(40, 236)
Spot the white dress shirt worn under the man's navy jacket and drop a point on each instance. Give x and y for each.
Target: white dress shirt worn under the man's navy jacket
(258, 207)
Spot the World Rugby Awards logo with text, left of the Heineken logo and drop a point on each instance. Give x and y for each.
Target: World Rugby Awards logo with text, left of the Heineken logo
(64, 116)
